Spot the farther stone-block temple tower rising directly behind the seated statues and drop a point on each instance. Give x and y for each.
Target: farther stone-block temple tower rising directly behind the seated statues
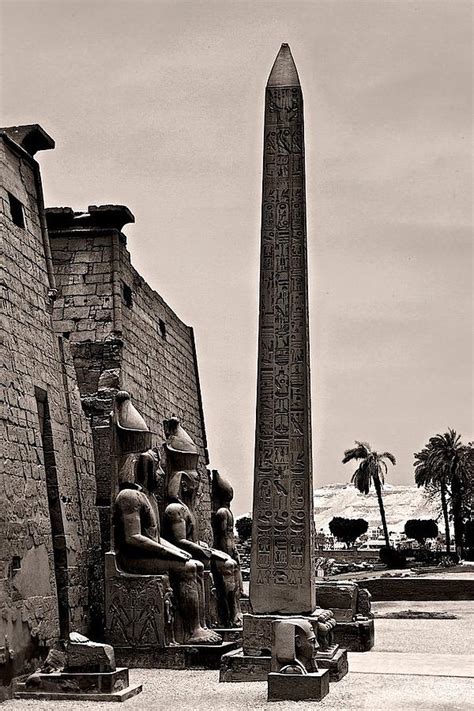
(123, 336)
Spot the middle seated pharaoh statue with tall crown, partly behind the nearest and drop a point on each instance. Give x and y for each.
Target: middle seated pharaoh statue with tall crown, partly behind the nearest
(179, 521)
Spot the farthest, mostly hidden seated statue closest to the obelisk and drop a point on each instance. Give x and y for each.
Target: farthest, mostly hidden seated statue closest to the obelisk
(222, 521)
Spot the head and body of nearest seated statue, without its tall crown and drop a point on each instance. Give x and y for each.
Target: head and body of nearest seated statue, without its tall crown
(140, 549)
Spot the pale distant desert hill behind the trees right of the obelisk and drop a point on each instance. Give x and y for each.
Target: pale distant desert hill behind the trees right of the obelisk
(401, 503)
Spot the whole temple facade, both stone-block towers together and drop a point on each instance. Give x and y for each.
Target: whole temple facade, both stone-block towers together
(79, 323)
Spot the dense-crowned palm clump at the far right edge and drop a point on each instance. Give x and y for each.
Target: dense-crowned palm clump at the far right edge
(444, 464)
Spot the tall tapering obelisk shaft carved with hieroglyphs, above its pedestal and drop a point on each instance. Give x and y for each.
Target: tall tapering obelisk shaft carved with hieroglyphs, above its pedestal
(282, 579)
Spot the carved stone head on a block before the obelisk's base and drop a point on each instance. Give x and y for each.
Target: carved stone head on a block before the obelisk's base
(294, 645)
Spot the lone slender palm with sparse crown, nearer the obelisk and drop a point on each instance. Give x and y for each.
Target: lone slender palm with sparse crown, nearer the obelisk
(371, 470)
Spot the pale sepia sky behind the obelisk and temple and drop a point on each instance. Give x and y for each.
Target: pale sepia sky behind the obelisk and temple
(158, 105)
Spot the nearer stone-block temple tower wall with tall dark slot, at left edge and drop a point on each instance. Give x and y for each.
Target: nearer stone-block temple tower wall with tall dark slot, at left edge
(49, 528)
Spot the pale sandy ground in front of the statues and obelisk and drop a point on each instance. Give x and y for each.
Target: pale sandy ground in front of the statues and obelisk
(190, 690)
